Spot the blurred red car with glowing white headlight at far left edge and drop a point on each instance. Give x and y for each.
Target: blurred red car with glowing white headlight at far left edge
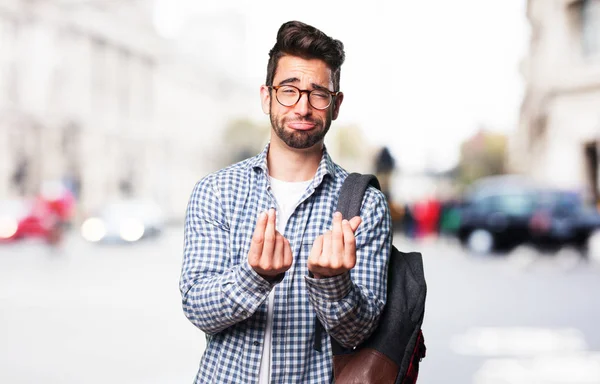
(22, 218)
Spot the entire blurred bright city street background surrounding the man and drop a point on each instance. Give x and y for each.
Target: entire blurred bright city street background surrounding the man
(481, 119)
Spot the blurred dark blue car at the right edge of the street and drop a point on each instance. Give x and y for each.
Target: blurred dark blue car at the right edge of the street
(502, 212)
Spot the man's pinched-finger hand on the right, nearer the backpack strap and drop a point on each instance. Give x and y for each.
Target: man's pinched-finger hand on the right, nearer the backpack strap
(334, 252)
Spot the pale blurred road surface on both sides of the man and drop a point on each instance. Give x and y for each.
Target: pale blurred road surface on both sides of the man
(112, 314)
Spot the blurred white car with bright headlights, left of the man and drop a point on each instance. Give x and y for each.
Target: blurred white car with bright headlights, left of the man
(124, 221)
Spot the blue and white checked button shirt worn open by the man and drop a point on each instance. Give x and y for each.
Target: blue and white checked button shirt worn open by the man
(224, 297)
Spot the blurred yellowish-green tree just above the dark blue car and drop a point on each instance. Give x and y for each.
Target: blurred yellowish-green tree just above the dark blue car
(484, 154)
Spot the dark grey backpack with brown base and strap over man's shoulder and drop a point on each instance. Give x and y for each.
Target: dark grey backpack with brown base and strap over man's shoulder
(393, 352)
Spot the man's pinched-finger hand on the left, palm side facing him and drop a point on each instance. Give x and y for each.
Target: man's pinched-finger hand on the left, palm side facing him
(270, 253)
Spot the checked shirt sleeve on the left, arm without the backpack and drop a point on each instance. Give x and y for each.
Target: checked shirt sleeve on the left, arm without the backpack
(215, 293)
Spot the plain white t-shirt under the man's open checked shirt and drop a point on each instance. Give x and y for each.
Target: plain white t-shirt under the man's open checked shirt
(287, 194)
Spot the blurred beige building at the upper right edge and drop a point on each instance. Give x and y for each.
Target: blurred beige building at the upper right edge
(559, 131)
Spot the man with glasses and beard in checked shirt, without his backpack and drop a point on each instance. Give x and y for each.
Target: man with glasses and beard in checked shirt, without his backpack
(264, 249)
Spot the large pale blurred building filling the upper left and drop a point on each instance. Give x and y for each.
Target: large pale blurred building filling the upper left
(90, 94)
